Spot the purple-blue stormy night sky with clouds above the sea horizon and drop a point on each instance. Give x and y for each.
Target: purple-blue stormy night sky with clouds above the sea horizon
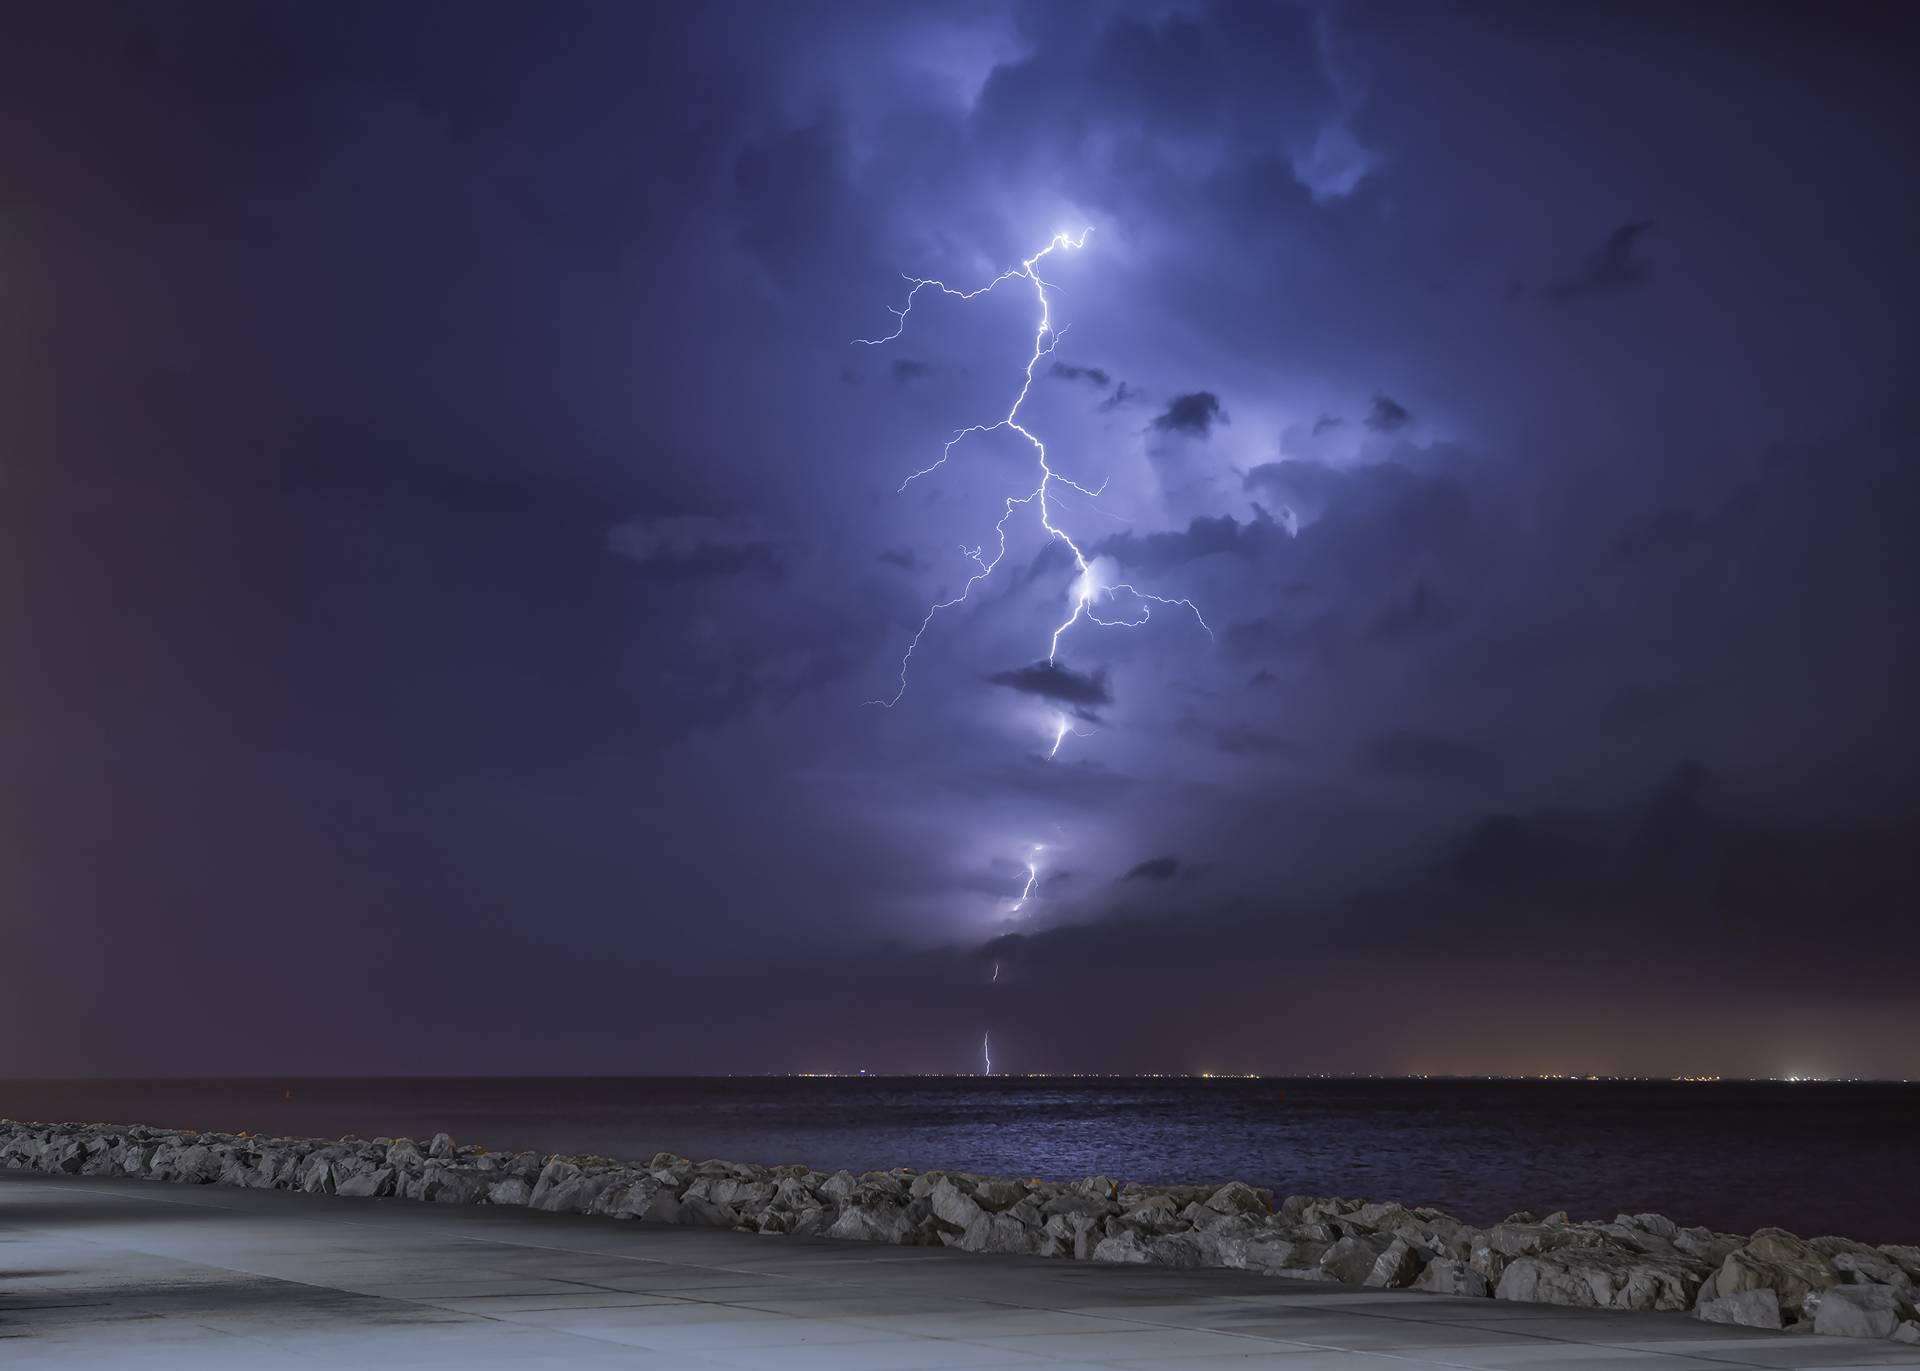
(448, 539)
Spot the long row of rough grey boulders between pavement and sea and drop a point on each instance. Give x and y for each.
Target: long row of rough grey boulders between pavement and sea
(1769, 1280)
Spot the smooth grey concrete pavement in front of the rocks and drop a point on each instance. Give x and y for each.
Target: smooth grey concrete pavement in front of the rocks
(133, 1274)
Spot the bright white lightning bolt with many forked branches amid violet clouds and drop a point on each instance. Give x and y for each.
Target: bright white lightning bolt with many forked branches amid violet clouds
(1086, 590)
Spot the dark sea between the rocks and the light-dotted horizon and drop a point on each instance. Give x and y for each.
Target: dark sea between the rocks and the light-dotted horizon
(1813, 1159)
